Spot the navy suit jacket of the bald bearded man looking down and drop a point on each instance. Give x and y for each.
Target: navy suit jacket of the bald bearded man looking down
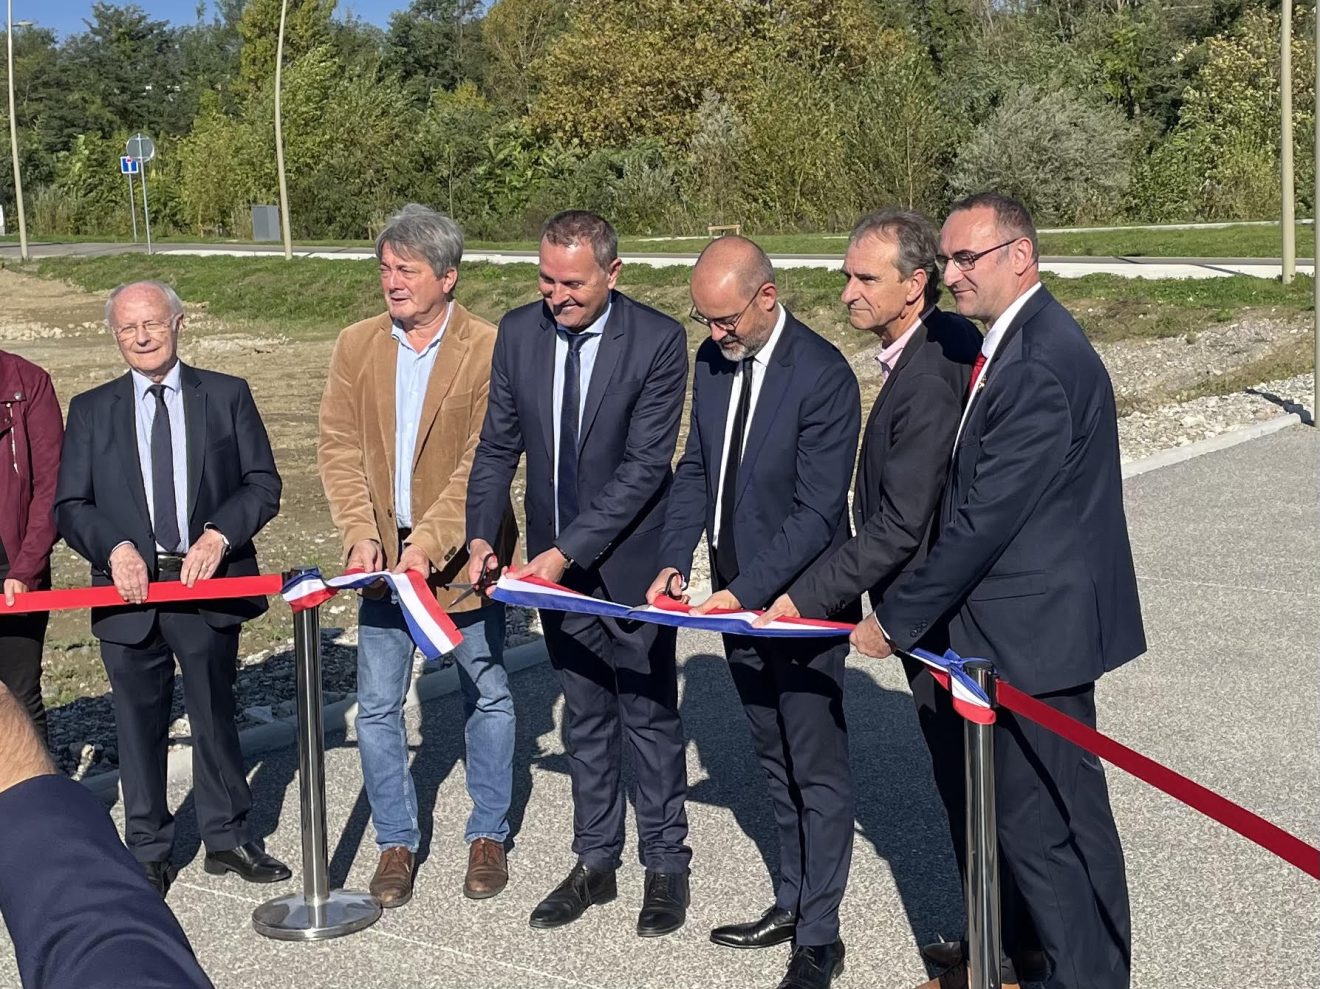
(798, 461)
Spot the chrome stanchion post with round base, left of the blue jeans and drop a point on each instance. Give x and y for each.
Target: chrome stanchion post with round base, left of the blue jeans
(319, 912)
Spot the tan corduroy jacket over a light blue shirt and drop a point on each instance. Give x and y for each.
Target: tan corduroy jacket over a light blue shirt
(356, 454)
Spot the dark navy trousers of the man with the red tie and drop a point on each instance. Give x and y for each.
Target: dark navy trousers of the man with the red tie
(1059, 844)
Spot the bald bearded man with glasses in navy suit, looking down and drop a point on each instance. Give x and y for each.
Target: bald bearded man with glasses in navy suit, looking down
(775, 415)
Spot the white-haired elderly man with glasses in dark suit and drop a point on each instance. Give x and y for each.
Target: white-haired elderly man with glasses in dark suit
(167, 475)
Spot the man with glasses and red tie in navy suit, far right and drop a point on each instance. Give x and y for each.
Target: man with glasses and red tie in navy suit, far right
(1036, 568)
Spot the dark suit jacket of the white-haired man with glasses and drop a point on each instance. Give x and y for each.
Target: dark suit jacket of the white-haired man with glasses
(233, 484)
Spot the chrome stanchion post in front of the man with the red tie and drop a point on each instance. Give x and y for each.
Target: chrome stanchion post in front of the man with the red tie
(983, 891)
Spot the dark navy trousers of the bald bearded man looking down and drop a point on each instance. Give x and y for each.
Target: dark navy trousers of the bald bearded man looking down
(794, 695)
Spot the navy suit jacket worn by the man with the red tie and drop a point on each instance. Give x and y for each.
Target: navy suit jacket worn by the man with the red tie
(1033, 563)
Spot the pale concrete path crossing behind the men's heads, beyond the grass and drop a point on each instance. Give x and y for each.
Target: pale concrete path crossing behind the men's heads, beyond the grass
(1063, 267)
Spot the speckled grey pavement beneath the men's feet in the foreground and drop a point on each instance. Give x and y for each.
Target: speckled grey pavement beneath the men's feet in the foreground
(1227, 550)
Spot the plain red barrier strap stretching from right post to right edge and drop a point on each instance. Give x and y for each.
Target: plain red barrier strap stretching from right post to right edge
(1249, 826)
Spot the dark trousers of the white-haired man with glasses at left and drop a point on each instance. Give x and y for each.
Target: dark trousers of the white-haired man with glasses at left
(142, 678)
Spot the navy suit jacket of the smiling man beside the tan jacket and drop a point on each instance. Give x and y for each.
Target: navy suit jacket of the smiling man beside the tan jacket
(630, 426)
